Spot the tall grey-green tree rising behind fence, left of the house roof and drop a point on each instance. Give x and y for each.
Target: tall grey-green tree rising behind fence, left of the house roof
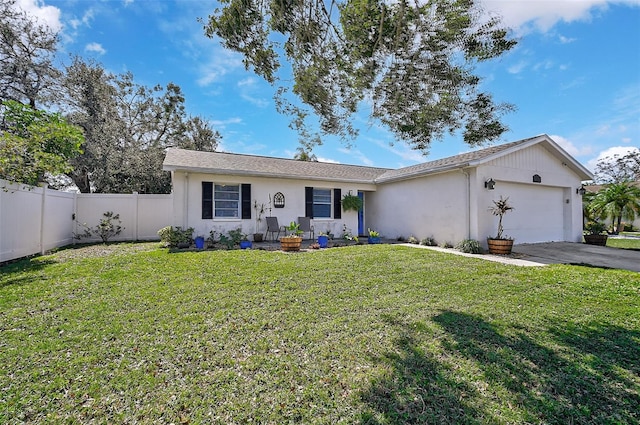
(128, 127)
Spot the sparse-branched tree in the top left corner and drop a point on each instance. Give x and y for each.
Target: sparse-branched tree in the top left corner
(27, 49)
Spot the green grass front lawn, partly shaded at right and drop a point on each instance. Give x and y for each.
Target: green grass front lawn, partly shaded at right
(374, 334)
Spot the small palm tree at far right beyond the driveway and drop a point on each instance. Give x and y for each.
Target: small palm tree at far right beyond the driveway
(617, 201)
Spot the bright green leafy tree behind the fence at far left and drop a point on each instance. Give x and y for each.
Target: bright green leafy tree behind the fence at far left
(35, 143)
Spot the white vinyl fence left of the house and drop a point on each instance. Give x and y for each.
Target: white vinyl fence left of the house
(34, 219)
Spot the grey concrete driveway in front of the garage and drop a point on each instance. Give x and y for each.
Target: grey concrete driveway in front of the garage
(579, 253)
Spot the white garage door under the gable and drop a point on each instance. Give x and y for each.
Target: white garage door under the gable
(538, 214)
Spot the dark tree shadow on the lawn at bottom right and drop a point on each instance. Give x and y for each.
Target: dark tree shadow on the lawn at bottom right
(591, 376)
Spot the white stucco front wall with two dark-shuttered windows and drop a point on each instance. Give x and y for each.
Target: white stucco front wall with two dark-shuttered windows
(187, 191)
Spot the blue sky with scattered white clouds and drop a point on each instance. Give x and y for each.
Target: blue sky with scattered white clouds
(574, 75)
